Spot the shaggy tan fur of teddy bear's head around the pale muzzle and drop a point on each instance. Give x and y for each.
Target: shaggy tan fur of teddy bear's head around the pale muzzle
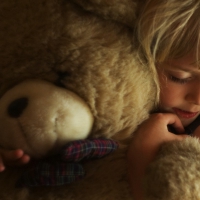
(41, 38)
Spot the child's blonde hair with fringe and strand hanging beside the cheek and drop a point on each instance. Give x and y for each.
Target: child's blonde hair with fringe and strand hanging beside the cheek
(168, 29)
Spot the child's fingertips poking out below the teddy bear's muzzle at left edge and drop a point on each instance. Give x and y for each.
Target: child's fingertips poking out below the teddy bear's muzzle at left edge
(12, 158)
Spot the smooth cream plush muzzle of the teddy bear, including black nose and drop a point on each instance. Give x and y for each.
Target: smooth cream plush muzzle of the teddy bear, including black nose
(41, 118)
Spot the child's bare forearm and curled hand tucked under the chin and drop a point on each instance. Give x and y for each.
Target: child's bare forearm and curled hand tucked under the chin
(145, 144)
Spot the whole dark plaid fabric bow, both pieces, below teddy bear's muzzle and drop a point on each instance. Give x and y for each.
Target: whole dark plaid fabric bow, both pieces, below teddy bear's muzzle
(66, 168)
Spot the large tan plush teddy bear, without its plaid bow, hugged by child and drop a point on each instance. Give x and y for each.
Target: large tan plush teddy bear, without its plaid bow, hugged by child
(89, 50)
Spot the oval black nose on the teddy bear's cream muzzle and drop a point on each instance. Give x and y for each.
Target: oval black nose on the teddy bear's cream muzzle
(16, 108)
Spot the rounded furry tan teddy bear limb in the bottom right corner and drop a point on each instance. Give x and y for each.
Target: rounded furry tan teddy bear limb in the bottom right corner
(175, 172)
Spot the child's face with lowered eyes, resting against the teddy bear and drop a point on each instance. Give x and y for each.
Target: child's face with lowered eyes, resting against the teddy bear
(180, 88)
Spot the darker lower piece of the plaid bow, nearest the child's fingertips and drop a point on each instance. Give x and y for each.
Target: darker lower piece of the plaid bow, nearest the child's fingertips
(48, 174)
